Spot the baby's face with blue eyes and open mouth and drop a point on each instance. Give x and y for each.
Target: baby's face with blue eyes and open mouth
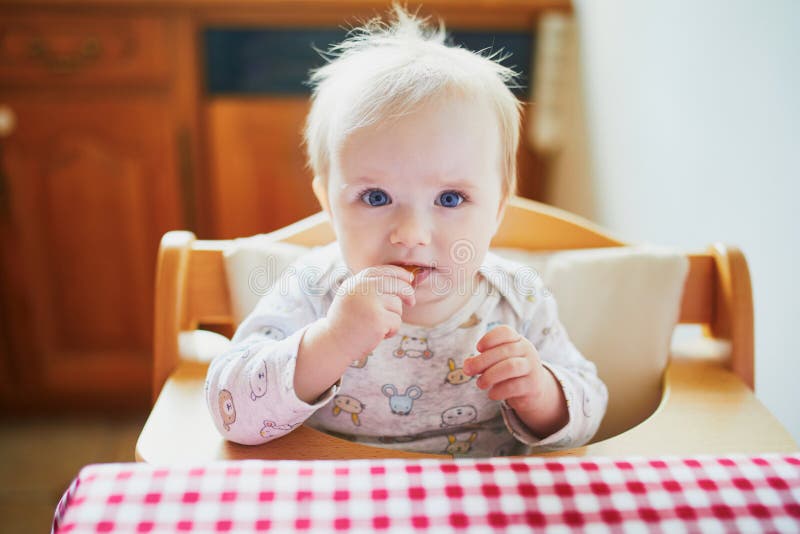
(424, 190)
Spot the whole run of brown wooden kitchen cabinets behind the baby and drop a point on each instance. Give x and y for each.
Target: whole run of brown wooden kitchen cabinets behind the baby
(119, 137)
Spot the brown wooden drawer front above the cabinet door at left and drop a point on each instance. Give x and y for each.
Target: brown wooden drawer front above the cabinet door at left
(82, 50)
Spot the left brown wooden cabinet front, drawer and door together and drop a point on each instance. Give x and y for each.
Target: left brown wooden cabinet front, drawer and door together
(90, 175)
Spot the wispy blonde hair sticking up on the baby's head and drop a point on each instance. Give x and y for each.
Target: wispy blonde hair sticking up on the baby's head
(383, 71)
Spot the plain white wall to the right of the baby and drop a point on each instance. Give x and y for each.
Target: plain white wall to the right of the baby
(693, 135)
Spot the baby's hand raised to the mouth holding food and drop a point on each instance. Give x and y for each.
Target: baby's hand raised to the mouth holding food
(368, 308)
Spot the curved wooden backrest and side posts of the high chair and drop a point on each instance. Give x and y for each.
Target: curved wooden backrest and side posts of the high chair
(192, 288)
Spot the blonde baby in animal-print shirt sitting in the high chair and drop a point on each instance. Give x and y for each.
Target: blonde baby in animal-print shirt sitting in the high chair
(407, 332)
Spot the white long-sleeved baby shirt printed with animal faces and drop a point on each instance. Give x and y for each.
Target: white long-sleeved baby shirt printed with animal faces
(409, 392)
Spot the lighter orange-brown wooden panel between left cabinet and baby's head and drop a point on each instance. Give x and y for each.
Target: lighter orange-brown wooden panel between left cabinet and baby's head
(259, 182)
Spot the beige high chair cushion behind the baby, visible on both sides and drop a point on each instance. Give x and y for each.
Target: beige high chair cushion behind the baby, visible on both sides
(619, 306)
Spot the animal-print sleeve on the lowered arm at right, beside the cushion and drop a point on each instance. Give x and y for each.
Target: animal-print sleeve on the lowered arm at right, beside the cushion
(585, 393)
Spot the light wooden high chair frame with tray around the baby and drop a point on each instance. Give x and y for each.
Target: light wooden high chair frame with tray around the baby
(707, 404)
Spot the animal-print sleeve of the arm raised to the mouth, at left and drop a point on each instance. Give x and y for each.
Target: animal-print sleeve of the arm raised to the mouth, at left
(250, 388)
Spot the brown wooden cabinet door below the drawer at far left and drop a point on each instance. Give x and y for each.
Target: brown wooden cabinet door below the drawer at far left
(92, 186)
